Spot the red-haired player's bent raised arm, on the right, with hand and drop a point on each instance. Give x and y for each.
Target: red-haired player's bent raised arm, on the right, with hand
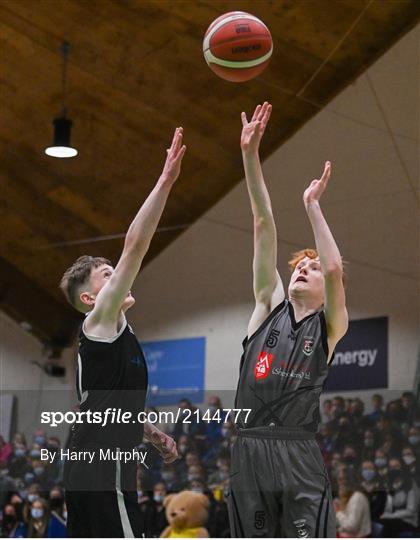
(330, 260)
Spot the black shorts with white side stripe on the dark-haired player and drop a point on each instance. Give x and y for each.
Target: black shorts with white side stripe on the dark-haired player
(101, 499)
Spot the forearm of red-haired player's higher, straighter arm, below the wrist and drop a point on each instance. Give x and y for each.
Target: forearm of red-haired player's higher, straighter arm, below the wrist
(258, 194)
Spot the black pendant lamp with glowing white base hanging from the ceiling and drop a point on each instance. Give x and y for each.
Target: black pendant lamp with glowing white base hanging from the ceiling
(61, 146)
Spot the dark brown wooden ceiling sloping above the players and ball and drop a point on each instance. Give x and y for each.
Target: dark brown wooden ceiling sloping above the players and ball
(136, 71)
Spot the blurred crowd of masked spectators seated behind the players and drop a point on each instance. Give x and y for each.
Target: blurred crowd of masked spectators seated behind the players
(373, 462)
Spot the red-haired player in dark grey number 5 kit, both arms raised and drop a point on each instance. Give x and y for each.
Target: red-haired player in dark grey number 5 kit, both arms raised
(279, 484)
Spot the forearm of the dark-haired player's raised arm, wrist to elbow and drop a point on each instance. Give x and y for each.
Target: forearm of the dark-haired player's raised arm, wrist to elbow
(144, 225)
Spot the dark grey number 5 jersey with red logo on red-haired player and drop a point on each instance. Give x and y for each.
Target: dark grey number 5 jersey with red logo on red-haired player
(283, 371)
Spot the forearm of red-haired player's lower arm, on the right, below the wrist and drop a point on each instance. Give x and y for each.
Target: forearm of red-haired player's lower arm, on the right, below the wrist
(329, 254)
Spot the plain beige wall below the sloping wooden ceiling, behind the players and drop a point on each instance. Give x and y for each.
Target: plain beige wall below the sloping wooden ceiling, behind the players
(201, 285)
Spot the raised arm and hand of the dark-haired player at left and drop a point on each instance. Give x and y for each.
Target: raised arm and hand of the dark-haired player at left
(139, 235)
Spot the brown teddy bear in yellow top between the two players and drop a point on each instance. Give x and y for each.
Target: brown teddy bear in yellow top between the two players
(186, 513)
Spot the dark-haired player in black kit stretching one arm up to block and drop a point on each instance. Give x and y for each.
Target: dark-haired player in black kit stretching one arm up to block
(101, 494)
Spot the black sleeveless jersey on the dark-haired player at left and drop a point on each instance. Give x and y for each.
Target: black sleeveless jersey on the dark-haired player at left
(111, 373)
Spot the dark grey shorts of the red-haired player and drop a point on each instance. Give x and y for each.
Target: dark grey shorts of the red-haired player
(279, 486)
